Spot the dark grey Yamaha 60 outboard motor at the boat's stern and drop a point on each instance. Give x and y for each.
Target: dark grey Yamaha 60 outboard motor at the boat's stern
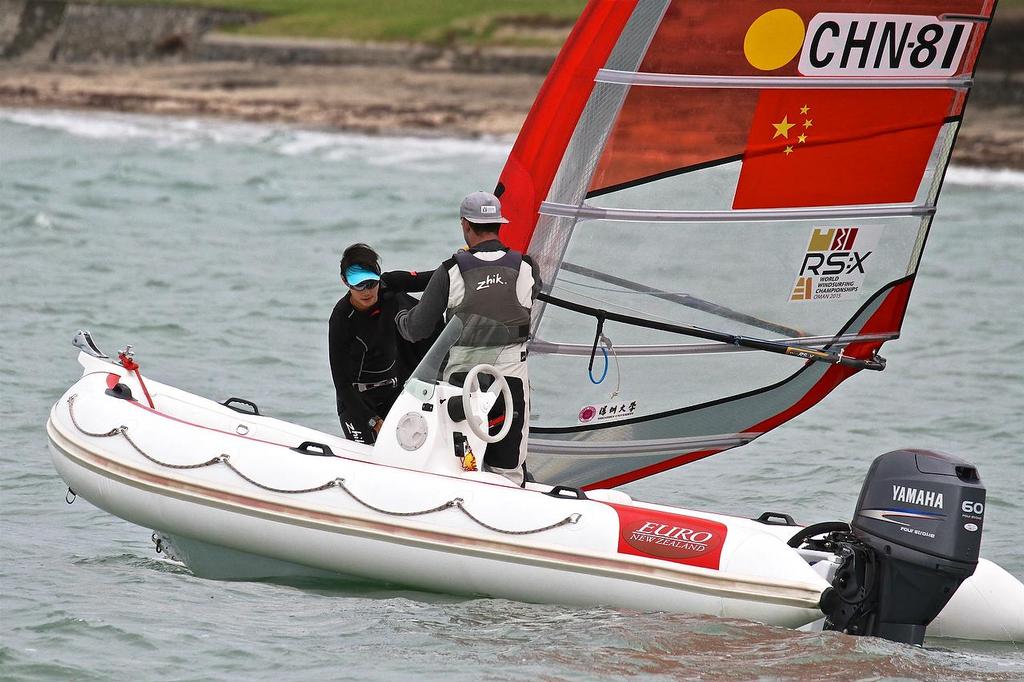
(916, 537)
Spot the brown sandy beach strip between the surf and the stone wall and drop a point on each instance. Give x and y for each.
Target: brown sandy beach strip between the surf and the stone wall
(374, 100)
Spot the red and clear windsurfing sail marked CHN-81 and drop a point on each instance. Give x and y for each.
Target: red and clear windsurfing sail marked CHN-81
(729, 205)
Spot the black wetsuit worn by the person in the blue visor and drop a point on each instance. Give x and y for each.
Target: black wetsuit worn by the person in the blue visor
(366, 349)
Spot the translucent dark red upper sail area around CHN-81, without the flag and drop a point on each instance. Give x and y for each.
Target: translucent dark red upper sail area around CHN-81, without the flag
(667, 131)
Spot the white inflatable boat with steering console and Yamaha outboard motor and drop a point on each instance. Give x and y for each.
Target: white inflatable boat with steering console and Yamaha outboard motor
(234, 494)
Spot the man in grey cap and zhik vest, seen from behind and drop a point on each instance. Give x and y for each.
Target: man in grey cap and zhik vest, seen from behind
(492, 282)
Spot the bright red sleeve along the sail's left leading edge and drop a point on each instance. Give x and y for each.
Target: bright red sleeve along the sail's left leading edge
(539, 150)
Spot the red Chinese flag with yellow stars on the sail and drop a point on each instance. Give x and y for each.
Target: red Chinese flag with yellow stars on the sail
(835, 148)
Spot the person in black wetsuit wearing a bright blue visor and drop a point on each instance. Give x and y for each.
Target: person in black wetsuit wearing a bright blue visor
(370, 362)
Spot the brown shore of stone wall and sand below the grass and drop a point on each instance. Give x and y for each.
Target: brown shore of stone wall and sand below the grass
(176, 67)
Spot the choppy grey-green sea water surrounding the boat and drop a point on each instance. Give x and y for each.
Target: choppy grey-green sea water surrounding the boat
(214, 248)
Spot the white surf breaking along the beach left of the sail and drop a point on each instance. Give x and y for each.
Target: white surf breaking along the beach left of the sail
(292, 142)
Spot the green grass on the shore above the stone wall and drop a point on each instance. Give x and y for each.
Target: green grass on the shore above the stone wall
(524, 23)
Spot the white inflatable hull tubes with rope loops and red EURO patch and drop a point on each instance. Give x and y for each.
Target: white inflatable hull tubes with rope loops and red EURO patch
(454, 532)
